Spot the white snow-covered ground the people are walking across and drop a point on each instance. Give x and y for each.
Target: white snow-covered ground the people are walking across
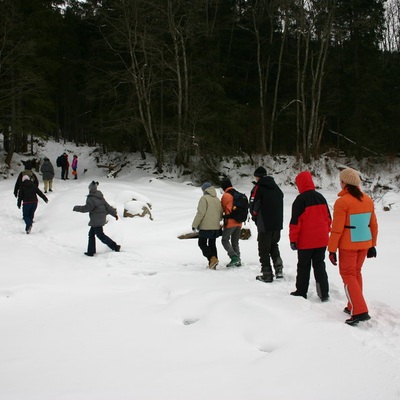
(152, 323)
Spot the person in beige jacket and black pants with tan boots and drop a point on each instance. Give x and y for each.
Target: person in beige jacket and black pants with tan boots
(207, 221)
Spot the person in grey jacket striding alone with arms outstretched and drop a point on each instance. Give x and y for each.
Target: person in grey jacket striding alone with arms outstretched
(98, 209)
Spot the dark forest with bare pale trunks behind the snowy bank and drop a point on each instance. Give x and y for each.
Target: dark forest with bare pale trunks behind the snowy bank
(202, 78)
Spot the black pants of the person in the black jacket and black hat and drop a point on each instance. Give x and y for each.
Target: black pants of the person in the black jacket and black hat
(268, 249)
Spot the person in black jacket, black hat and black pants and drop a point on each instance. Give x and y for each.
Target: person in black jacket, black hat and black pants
(266, 209)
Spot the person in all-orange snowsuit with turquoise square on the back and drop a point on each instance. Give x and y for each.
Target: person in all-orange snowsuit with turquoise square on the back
(354, 233)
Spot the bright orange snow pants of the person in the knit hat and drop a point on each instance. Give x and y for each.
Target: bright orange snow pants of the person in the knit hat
(350, 264)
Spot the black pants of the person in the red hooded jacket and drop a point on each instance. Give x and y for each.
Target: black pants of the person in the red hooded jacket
(316, 258)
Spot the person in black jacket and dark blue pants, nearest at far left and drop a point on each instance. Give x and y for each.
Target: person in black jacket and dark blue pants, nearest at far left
(27, 196)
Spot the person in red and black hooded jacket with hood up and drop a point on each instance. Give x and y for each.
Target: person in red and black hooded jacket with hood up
(309, 234)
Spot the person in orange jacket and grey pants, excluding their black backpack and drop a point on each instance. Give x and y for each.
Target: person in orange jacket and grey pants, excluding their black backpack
(232, 228)
